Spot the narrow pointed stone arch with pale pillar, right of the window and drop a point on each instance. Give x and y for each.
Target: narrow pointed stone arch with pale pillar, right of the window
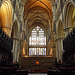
(59, 41)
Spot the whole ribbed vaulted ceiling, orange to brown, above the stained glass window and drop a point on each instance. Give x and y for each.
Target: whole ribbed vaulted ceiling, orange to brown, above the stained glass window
(37, 12)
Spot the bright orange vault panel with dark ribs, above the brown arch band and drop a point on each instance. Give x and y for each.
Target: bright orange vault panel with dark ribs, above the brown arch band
(46, 4)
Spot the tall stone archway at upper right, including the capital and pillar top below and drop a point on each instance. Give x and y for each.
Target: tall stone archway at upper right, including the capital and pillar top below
(69, 17)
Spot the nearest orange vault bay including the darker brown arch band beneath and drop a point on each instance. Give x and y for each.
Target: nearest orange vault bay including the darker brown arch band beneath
(43, 5)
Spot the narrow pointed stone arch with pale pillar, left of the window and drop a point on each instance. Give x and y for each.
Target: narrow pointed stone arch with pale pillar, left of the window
(14, 36)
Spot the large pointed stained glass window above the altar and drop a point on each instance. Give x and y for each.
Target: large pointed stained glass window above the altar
(37, 42)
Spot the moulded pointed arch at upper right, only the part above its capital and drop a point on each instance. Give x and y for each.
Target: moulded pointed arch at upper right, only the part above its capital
(69, 7)
